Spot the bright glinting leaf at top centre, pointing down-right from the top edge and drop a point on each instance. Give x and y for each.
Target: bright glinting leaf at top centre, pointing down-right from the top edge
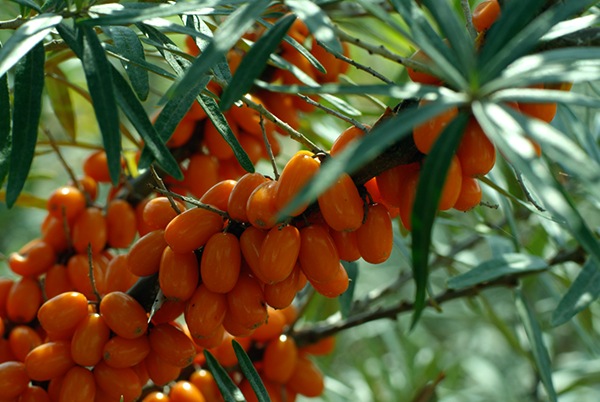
(316, 20)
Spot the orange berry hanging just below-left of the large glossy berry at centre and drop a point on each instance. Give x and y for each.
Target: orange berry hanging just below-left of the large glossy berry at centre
(318, 256)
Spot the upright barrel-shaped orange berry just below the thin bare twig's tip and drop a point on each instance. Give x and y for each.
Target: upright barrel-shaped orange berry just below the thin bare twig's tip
(221, 262)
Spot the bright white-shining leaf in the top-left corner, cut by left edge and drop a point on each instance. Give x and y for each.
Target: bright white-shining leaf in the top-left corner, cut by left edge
(25, 38)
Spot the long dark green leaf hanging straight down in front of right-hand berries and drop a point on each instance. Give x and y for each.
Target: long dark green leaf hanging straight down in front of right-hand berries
(429, 190)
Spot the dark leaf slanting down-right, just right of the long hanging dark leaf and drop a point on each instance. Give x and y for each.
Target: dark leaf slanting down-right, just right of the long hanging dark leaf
(133, 109)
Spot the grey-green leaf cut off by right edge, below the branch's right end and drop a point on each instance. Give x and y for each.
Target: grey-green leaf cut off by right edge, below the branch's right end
(582, 292)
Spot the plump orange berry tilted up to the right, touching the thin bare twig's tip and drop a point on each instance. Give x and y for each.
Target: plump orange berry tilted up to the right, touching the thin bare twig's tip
(192, 229)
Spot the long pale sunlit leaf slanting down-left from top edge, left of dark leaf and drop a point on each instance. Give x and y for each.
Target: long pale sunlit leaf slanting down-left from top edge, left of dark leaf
(225, 37)
